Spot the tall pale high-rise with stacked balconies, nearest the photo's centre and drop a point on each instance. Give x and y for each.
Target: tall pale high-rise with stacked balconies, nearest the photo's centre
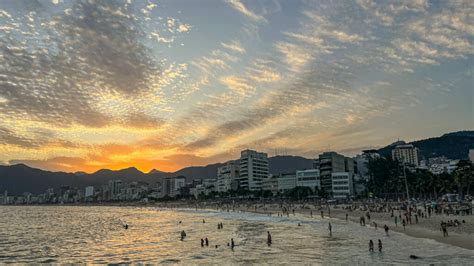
(253, 169)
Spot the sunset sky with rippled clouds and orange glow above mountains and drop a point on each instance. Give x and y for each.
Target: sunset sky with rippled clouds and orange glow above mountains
(86, 85)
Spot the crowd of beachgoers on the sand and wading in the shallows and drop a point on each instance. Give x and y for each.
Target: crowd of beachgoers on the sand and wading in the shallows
(406, 214)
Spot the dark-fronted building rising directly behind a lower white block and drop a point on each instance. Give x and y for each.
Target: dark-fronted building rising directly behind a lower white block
(332, 162)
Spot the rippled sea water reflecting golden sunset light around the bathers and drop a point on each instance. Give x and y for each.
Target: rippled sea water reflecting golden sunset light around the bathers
(75, 234)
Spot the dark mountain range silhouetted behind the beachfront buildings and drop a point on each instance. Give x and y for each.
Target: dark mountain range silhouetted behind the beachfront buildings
(22, 178)
